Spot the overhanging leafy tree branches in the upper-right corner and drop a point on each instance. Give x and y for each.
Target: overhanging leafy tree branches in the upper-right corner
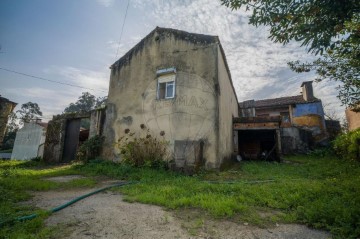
(330, 28)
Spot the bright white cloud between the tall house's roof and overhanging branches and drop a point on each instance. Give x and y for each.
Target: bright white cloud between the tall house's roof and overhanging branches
(258, 66)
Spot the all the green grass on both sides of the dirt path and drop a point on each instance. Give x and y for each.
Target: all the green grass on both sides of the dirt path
(322, 193)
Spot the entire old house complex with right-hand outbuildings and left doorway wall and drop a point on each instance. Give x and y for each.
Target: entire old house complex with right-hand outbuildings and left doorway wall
(177, 86)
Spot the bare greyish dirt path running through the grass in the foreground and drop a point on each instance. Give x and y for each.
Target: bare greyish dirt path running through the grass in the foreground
(105, 215)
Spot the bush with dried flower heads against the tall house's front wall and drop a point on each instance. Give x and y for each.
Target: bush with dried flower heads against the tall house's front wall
(143, 151)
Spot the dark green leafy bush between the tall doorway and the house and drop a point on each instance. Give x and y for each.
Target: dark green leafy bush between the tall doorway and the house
(90, 149)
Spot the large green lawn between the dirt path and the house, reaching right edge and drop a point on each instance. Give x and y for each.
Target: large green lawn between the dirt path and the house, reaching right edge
(323, 193)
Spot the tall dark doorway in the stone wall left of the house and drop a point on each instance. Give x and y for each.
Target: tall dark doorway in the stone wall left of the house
(71, 139)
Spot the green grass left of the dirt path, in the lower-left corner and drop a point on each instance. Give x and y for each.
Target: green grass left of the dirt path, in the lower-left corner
(17, 178)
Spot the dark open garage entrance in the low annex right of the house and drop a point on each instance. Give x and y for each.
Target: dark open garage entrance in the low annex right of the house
(258, 144)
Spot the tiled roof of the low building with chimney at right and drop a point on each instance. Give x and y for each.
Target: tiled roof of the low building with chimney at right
(288, 100)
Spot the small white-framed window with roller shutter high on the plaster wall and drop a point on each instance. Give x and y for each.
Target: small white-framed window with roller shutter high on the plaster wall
(166, 84)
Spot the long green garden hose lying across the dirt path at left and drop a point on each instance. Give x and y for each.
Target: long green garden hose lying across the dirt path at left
(55, 209)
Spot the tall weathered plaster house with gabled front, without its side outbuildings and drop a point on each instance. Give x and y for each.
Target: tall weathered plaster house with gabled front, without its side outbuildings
(178, 86)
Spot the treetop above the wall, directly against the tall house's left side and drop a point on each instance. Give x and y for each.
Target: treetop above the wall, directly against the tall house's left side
(85, 103)
